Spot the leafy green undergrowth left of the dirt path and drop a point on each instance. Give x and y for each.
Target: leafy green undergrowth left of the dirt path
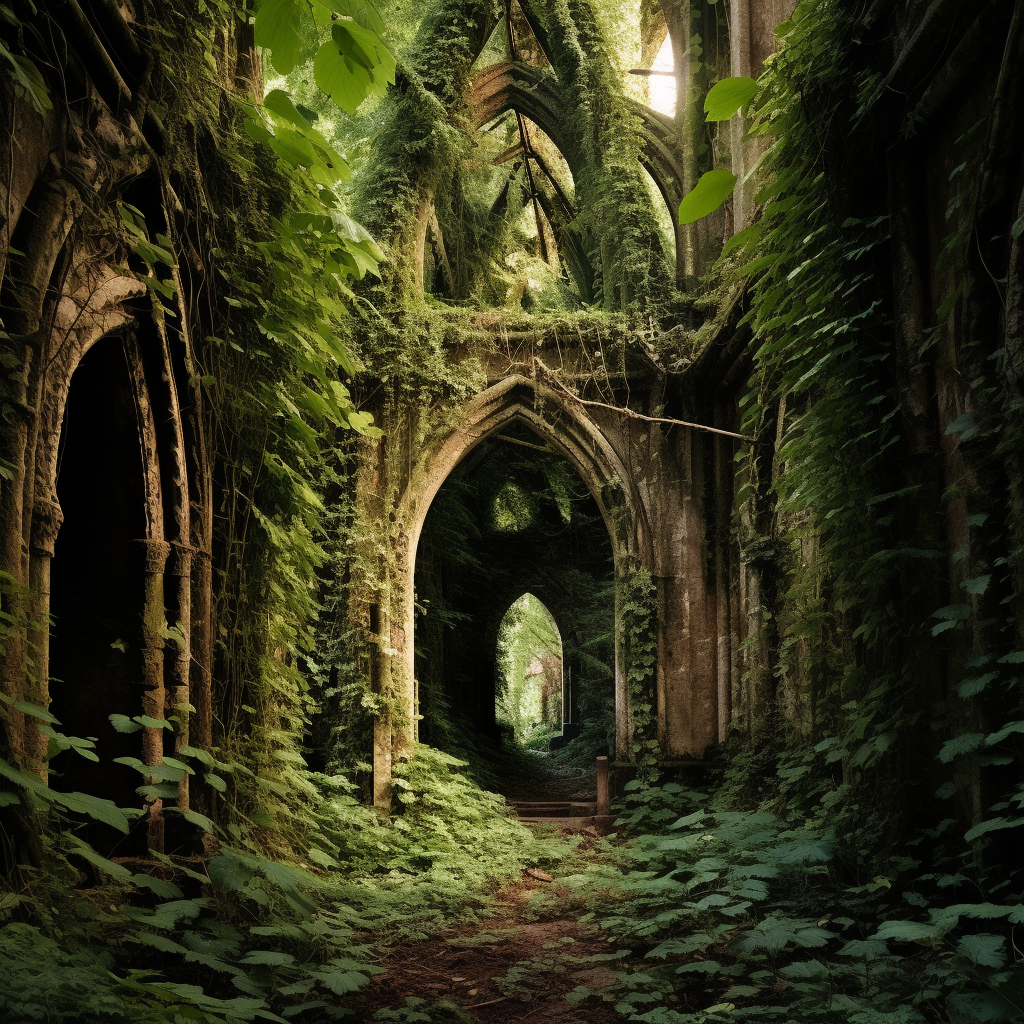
(240, 935)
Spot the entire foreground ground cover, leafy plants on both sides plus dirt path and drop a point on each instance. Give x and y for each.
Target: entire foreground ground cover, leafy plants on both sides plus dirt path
(692, 915)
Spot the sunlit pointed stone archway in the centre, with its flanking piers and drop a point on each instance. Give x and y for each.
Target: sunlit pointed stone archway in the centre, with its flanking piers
(656, 488)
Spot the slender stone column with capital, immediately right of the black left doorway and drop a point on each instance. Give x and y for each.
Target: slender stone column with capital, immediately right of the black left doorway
(151, 668)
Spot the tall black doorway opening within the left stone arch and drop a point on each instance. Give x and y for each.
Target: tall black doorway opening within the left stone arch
(97, 578)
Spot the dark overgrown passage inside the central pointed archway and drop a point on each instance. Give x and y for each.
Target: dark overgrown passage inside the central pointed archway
(514, 519)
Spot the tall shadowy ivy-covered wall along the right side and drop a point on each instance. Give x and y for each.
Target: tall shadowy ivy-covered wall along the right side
(876, 518)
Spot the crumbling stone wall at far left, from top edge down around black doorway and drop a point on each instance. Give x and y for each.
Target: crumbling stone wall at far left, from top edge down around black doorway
(71, 286)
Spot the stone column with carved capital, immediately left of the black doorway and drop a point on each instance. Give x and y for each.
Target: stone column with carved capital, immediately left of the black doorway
(47, 521)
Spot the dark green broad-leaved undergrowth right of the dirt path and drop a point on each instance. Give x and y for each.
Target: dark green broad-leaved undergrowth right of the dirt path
(743, 916)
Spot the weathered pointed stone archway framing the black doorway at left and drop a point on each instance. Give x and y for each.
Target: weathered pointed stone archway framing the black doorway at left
(95, 339)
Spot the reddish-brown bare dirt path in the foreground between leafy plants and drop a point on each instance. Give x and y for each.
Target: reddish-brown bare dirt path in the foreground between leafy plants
(518, 966)
